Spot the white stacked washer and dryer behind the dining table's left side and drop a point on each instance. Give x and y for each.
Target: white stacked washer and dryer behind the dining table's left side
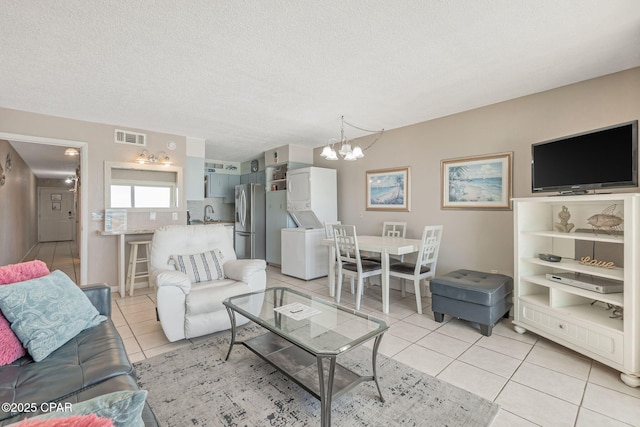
(312, 200)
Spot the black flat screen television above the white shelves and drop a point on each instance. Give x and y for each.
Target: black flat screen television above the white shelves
(598, 159)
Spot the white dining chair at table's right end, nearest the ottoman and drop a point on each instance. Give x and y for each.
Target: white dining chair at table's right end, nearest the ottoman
(425, 265)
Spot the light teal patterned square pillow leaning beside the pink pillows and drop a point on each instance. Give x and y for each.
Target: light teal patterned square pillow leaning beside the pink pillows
(47, 312)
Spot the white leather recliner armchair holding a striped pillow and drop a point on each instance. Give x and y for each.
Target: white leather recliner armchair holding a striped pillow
(189, 309)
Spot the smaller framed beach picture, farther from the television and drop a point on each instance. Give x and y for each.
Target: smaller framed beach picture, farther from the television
(388, 189)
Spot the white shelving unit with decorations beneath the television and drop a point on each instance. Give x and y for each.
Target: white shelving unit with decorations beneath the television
(573, 317)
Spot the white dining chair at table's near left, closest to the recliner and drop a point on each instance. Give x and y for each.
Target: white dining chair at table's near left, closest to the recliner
(350, 263)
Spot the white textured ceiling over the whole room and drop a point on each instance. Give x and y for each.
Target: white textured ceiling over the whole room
(252, 75)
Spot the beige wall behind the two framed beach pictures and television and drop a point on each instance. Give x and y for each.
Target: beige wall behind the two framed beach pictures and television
(478, 239)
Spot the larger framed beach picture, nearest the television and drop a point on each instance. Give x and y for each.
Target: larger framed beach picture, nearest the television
(479, 182)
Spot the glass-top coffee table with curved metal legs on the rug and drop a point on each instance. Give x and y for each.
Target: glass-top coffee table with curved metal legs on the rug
(305, 335)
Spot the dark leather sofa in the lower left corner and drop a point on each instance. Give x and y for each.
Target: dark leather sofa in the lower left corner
(93, 363)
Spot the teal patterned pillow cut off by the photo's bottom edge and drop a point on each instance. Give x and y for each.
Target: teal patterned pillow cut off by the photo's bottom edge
(124, 408)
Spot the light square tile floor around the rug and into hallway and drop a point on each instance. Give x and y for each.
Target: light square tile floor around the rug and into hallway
(535, 381)
